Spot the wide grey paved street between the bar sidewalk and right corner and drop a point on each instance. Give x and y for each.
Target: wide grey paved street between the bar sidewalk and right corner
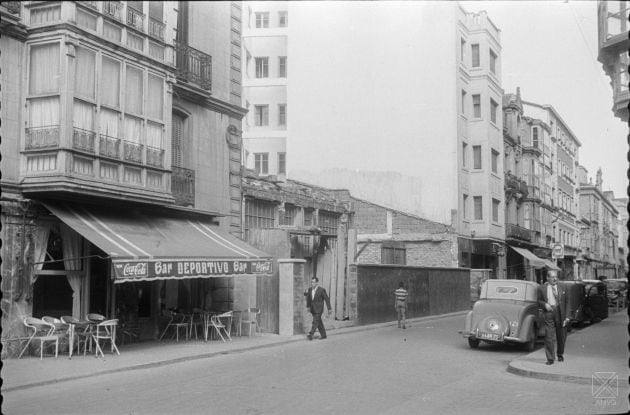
(427, 368)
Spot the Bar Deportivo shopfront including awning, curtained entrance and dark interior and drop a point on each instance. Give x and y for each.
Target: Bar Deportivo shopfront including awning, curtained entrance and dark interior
(68, 259)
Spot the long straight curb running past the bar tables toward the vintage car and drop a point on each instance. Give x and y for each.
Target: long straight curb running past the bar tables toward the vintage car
(166, 362)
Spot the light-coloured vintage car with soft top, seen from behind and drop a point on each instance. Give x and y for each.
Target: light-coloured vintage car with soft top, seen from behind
(507, 312)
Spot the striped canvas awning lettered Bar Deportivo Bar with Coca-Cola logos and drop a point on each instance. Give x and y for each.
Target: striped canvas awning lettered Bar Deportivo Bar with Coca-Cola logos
(145, 246)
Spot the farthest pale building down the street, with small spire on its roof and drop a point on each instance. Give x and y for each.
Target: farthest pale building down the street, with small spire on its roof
(599, 238)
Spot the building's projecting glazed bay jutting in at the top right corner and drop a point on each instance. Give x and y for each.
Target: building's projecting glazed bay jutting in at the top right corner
(613, 44)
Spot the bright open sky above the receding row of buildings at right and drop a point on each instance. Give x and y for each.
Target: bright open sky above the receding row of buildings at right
(549, 50)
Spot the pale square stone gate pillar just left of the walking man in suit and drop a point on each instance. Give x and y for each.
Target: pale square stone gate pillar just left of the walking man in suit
(291, 298)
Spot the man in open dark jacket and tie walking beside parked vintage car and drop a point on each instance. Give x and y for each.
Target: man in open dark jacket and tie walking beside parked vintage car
(553, 299)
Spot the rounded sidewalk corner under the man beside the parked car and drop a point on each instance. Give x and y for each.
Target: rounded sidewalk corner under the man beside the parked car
(601, 347)
